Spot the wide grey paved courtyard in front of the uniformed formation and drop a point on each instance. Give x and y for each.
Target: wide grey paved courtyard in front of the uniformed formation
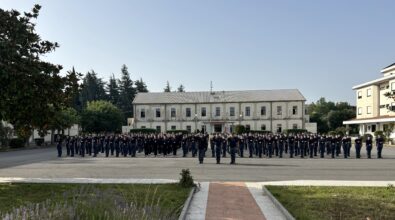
(43, 163)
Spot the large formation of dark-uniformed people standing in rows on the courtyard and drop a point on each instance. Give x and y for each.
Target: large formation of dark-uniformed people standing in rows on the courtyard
(221, 144)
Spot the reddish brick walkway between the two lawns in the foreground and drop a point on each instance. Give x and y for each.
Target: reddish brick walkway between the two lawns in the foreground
(231, 201)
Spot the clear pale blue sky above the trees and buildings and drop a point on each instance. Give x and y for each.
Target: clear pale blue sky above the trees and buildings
(322, 48)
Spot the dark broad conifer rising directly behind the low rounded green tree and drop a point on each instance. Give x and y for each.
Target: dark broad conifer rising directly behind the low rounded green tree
(92, 88)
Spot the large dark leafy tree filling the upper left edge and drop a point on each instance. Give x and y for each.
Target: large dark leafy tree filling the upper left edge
(30, 89)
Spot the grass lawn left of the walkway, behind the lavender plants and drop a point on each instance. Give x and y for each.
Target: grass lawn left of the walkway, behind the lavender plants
(95, 200)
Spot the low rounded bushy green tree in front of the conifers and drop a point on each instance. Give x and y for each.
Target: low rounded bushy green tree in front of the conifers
(101, 116)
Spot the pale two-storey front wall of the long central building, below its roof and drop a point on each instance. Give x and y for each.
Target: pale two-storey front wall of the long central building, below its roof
(268, 121)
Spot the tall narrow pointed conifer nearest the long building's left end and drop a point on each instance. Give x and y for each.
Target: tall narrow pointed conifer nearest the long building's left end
(127, 93)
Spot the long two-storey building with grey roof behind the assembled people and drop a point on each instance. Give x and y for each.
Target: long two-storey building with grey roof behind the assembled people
(269, 110)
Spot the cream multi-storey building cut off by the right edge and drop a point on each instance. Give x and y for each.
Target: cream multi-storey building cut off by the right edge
(374, 110)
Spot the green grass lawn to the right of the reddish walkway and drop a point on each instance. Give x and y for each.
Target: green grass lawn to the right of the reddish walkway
(337, 202)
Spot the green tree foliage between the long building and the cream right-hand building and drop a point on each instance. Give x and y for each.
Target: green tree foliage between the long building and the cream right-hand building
(329, 115)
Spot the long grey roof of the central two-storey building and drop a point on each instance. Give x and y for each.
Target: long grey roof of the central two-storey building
(219, 96)
